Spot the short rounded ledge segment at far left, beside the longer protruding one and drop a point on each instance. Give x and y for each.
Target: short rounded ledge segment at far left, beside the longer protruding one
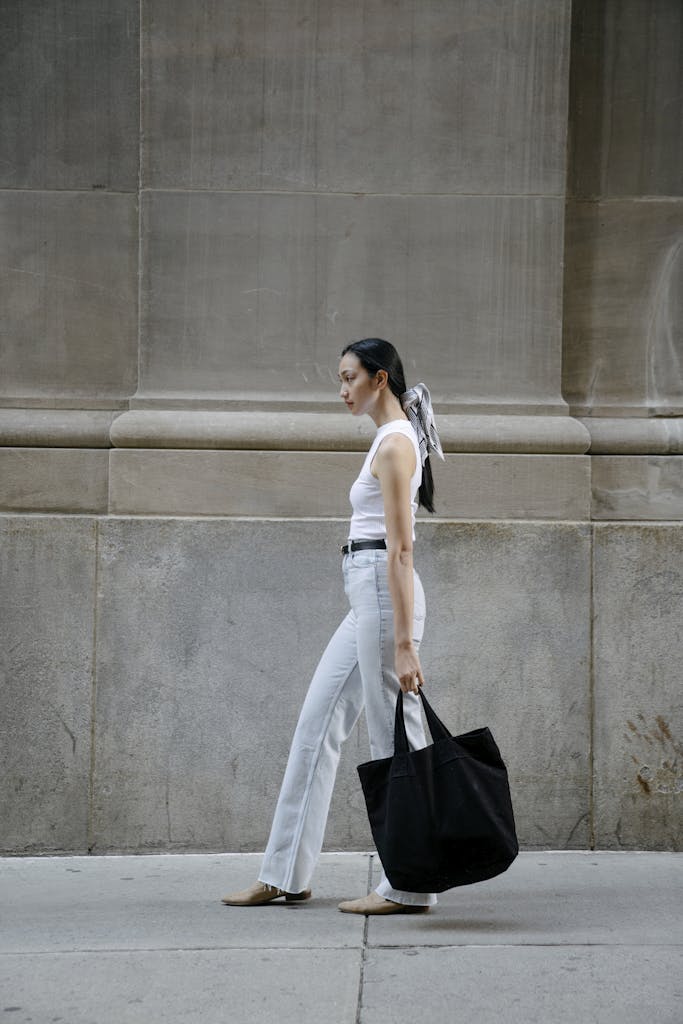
(56, 429)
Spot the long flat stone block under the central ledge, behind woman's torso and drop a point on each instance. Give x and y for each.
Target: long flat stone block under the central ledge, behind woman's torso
(307, 484)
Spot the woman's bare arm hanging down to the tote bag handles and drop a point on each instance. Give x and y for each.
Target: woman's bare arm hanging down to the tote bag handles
(394, 466)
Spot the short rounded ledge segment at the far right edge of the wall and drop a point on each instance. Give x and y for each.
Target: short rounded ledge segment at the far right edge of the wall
(635, 436)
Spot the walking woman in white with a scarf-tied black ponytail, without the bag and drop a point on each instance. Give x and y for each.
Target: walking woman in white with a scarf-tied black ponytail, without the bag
(375, 651)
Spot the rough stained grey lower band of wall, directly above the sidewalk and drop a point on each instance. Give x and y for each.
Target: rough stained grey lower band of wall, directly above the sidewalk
(206, 633)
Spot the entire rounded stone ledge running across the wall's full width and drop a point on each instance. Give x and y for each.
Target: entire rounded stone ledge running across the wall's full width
(322, 431)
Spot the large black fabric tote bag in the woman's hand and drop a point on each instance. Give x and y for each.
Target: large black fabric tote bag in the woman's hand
(441, 817)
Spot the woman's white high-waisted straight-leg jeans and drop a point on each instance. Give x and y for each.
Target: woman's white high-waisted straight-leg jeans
(356, 670)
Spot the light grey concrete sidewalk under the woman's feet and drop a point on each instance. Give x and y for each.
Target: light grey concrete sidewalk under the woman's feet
(581, 937)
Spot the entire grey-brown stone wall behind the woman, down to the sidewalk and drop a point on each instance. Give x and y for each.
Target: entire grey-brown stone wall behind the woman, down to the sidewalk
(201, 205)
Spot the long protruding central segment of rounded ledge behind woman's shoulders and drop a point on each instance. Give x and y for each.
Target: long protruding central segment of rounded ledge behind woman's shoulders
(308, 432)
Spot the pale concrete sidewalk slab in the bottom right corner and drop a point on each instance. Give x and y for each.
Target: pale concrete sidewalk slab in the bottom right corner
(533, 985)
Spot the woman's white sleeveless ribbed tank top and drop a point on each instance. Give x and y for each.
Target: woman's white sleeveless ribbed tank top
(366, 494)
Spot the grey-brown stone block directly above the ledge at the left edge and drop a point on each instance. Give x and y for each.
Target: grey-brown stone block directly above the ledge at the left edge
(68, 294)
